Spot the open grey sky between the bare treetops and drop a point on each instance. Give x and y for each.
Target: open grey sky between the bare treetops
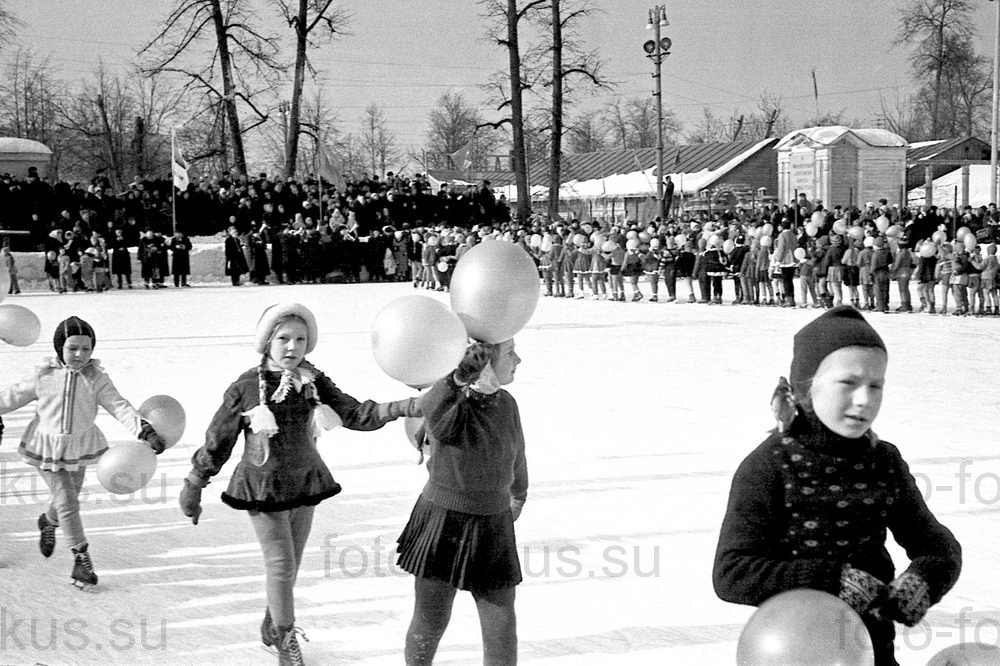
(404, 54)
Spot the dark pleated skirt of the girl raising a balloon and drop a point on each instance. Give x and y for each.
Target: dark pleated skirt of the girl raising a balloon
(469, 551)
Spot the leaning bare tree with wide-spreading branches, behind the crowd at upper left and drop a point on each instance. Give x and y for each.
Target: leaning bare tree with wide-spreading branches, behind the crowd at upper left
(241, 56)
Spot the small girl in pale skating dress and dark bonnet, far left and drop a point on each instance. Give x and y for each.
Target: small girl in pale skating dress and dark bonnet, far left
(62, 440)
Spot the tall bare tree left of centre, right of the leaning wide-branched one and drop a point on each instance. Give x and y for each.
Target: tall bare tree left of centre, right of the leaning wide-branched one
(314, 22)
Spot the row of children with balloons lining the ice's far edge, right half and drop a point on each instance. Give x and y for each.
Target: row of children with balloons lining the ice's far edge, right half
(823, 267)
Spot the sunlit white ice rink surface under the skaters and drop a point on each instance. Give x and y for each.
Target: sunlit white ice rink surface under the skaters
(636, 416)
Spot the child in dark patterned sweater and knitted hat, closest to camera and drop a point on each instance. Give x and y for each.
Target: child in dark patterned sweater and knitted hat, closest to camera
(811, 505)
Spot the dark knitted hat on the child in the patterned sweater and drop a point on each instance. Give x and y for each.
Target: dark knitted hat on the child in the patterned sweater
(839, 327)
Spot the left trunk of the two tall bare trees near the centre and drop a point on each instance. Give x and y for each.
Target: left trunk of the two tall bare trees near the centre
(504, 17)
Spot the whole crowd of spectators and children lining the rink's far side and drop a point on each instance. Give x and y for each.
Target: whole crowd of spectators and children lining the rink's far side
(398, 228)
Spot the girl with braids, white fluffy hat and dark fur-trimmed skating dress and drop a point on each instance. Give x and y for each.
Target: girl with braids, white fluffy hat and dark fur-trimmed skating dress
(280, 406)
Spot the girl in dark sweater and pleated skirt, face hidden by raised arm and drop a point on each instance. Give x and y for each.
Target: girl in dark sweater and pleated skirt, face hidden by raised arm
(460, 535)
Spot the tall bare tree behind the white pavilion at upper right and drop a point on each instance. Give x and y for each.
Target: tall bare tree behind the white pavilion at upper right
(927, 27)
